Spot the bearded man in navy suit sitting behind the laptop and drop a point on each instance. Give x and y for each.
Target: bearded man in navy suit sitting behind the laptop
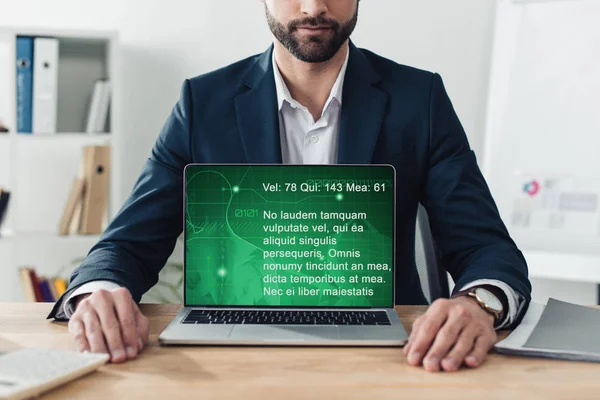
(314, 97)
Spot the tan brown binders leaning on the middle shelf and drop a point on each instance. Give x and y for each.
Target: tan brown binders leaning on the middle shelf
(87, 203)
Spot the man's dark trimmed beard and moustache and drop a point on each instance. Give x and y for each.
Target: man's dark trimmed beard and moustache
(315, 49)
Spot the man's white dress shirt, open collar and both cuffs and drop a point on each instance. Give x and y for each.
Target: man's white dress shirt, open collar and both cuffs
(306, 141)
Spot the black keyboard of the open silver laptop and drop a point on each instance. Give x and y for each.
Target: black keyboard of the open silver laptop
(296, 317)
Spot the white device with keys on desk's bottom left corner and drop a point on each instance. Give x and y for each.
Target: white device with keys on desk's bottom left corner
(29, 372)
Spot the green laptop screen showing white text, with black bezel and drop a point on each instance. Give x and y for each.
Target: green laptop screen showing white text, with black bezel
(289, 235)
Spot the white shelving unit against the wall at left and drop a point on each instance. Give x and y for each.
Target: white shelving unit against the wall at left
(38, 170)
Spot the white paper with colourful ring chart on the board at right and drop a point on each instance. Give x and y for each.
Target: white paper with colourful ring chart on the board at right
(556, 203)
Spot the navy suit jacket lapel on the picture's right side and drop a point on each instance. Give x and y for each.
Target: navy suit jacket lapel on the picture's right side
(363, 111)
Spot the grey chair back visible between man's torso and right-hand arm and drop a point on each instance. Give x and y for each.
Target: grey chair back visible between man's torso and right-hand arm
(433, 277)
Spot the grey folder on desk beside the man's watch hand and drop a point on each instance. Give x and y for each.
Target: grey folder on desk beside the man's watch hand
(558, 330)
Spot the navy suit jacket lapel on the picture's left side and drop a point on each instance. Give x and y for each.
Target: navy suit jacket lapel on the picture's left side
(256, 112)
